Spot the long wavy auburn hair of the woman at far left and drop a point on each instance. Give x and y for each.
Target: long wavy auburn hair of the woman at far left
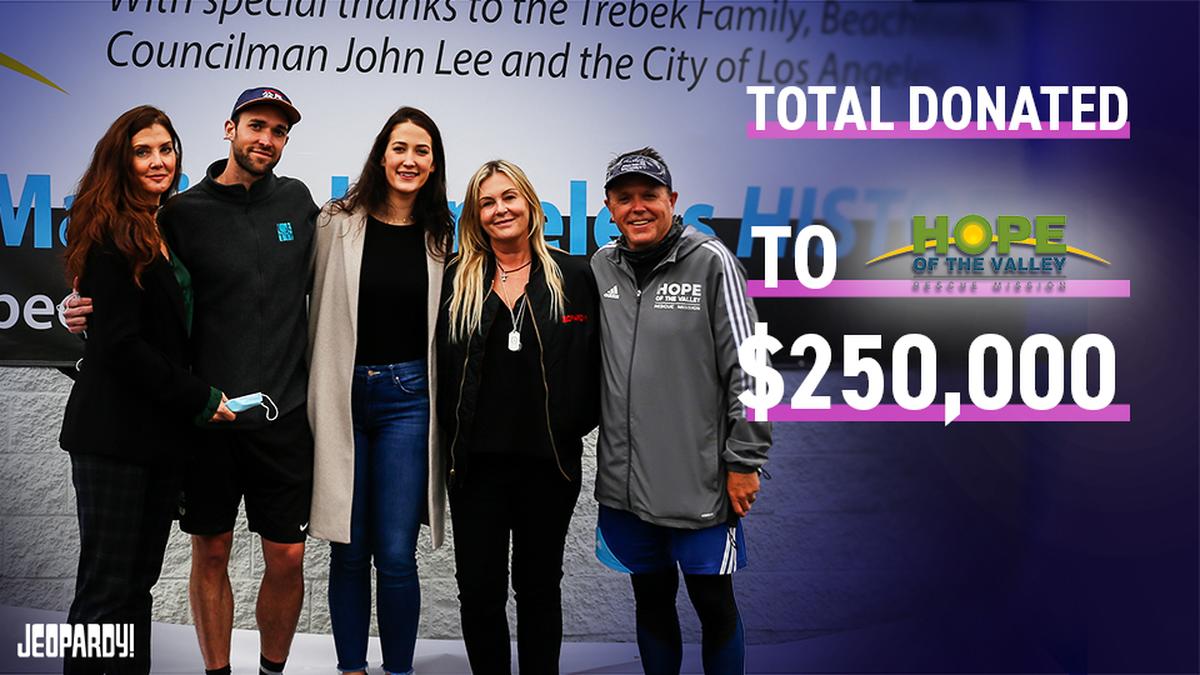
(109, 202)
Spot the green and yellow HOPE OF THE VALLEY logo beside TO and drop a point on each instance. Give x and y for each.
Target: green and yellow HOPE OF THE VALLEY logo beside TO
(1017, 254)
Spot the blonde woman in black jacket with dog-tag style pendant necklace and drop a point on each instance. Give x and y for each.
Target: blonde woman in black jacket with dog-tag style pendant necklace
(519, 360)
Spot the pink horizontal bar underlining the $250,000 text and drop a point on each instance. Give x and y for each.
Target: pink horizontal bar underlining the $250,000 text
(842, 413)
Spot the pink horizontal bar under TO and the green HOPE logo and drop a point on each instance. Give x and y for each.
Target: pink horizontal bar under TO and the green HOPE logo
(904, 289)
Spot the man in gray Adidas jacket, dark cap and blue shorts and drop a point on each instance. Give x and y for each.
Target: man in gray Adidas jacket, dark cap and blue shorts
(677, 459)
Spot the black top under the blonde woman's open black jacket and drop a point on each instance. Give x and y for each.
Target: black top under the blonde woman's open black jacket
(511, 410)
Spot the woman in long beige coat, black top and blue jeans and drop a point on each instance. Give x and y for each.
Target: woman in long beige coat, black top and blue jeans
(381, 252)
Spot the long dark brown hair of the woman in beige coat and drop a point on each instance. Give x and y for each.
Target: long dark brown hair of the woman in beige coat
(431, 211)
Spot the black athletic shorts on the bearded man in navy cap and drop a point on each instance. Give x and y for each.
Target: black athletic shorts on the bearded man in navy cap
(271, 467)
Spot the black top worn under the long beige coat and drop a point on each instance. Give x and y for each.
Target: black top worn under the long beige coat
(393, 291)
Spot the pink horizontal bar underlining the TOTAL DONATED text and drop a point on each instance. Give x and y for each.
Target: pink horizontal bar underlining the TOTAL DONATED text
(939, 132)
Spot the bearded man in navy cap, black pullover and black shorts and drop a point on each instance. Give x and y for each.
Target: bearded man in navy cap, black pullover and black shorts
(245, 236)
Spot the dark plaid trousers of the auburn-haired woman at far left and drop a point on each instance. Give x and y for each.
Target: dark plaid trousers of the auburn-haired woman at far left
(125, 515)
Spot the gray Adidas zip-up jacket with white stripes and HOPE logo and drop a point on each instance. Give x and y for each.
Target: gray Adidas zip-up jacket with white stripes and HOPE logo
(671, 425)
